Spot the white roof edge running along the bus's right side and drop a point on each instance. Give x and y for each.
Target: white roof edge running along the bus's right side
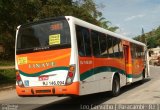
(100, 29)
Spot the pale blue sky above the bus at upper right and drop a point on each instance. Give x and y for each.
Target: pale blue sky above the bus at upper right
(131, 15)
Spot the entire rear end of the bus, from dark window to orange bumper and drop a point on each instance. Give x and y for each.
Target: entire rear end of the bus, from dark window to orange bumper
(43, 59)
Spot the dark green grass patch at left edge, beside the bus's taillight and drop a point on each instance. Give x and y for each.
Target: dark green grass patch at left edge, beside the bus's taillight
(7, 76)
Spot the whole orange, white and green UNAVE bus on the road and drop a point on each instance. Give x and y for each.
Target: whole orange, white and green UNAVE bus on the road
(68, 56)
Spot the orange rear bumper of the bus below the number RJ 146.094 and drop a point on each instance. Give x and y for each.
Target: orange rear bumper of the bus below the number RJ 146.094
(72, 89)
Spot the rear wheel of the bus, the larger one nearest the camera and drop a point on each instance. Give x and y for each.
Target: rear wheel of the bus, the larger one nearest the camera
(115, 86)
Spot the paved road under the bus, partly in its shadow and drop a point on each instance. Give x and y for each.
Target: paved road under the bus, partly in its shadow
(147, 92)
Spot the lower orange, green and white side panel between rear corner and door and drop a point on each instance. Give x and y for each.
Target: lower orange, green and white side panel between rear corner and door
(99, 77)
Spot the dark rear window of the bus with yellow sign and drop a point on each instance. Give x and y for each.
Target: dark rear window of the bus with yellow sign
(43, 35)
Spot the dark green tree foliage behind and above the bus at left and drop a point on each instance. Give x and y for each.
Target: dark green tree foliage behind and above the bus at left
(16, 12)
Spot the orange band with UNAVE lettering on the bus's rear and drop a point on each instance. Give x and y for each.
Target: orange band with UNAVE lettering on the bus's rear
(57, 57)
